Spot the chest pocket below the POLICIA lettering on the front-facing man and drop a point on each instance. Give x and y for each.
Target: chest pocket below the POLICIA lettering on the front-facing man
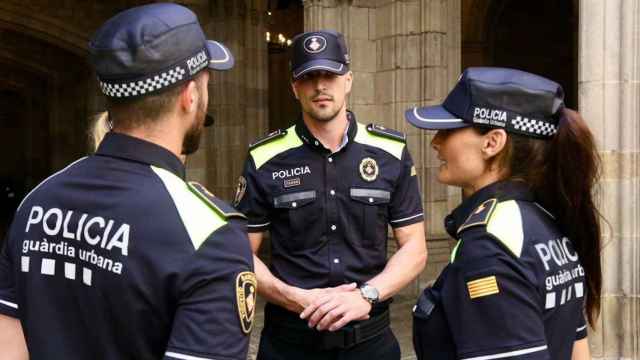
(299, 213)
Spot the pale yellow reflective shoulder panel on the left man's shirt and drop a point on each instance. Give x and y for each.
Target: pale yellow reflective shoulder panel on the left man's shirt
(198, 218)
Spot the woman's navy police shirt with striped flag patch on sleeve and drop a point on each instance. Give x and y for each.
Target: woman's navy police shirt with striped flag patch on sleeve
(514, 289)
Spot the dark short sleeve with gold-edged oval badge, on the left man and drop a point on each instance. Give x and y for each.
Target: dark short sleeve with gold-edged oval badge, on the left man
(216, 304)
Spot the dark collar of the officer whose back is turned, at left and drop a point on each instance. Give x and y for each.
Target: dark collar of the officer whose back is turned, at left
(123, 146)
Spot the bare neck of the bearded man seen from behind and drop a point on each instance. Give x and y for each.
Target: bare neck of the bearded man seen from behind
(161, 132)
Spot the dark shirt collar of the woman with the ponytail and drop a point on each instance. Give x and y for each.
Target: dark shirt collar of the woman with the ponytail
(501, 190)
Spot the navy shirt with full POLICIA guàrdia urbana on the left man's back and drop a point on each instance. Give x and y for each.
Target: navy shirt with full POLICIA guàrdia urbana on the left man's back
(117, 257)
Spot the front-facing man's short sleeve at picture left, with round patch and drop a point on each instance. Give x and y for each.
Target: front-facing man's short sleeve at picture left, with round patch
(251, 200)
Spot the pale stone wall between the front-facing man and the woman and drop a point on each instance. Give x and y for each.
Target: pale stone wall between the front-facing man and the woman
(404, 53)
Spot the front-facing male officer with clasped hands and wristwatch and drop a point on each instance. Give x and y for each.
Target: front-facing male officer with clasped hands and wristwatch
(327, 188)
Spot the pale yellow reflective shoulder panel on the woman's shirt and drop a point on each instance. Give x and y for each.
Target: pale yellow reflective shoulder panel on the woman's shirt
(505, 223)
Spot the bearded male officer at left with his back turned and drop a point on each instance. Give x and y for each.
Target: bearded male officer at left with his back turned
(116, 256)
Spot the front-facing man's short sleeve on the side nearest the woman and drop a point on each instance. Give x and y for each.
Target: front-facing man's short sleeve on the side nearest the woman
(406, 202)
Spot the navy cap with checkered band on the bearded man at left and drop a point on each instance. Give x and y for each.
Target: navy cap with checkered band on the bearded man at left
(149, 48)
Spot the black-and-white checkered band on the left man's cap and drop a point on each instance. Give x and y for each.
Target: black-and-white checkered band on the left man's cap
(144, 86)
